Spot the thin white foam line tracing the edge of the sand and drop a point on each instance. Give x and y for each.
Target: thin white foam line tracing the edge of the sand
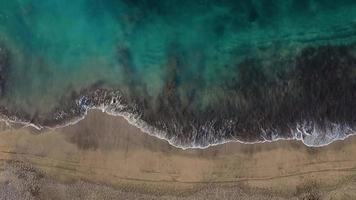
(152, 131)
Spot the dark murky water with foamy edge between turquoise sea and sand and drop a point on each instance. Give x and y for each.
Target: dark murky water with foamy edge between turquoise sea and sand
(193, 127)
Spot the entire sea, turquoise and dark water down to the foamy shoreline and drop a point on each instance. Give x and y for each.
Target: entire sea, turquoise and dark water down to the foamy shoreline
(195, 73)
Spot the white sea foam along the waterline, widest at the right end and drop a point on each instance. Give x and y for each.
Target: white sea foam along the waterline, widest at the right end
(309, 133)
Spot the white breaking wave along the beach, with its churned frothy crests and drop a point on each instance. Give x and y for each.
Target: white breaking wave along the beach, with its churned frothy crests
(309, 133)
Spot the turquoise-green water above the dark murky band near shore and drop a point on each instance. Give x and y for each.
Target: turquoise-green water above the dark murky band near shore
(148, 47)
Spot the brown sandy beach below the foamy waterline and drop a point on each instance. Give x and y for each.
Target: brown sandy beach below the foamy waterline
(104, 157)
